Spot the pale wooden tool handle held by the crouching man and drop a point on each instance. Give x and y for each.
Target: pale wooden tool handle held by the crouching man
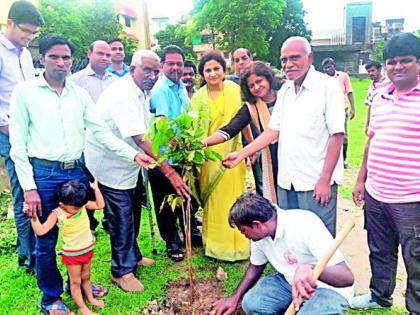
(319, 267)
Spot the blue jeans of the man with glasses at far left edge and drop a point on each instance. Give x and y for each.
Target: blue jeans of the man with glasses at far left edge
(25, 234)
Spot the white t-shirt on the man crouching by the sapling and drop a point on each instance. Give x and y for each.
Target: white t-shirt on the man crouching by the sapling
(301, 238)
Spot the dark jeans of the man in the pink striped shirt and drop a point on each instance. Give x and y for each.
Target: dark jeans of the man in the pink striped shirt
(389, 225)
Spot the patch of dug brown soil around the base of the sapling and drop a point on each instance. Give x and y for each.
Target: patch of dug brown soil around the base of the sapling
(178, 299)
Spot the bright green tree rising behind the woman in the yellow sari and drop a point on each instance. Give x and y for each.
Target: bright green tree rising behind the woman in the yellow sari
(239, 23)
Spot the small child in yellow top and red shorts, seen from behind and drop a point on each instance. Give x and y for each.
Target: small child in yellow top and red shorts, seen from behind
(78, 242)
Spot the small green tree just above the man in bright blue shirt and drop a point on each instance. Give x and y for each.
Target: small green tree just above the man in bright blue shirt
(176, 34)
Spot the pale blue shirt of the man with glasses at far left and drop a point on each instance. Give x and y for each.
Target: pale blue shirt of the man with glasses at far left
(15, 66)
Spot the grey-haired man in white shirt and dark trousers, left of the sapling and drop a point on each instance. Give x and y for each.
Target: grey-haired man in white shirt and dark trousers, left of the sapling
(125, 108)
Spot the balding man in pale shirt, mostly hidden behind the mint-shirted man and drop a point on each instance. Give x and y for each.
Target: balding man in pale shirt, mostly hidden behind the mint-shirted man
(94, 78)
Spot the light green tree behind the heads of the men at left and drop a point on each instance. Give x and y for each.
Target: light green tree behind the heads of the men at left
(82, 22)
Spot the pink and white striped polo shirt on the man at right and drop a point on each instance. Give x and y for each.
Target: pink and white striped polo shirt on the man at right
(394, 151)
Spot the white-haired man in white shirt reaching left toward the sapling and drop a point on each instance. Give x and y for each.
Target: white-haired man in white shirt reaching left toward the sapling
(308, 122)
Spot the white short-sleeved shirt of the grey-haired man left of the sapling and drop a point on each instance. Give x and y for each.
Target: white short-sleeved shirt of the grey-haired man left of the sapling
(126, 110)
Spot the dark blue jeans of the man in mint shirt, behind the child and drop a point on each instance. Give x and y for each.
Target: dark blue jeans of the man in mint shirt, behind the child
(48, 180)
